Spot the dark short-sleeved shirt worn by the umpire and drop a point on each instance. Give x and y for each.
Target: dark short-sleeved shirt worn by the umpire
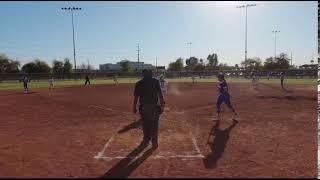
(147, 89)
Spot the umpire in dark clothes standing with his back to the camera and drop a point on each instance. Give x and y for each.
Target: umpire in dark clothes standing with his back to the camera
(148, 92)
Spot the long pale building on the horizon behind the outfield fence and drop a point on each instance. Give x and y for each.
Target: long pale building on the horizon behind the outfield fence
(117, 67)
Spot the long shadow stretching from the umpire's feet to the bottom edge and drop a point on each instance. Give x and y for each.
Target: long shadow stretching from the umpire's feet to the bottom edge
(126, 166)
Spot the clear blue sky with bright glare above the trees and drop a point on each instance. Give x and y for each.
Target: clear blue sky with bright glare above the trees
(106, 32)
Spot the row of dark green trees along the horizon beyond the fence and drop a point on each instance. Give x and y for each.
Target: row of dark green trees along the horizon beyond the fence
(282, 62)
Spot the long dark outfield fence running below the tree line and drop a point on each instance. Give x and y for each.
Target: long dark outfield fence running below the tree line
(168, 74)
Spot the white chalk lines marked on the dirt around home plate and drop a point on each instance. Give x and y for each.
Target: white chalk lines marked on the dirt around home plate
(183, 157)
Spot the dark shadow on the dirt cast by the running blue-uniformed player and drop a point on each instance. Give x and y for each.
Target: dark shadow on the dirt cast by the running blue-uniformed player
(218, 145)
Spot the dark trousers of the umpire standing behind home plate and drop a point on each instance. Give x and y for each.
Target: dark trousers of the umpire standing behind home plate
(150, 122)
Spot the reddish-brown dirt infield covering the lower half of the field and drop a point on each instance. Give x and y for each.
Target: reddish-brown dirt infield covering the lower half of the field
(89, 132)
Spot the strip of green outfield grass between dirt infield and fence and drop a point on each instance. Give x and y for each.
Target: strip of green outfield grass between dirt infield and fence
(15, 85)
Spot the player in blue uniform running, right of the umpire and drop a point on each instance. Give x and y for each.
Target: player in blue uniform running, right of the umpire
(224, 95)
